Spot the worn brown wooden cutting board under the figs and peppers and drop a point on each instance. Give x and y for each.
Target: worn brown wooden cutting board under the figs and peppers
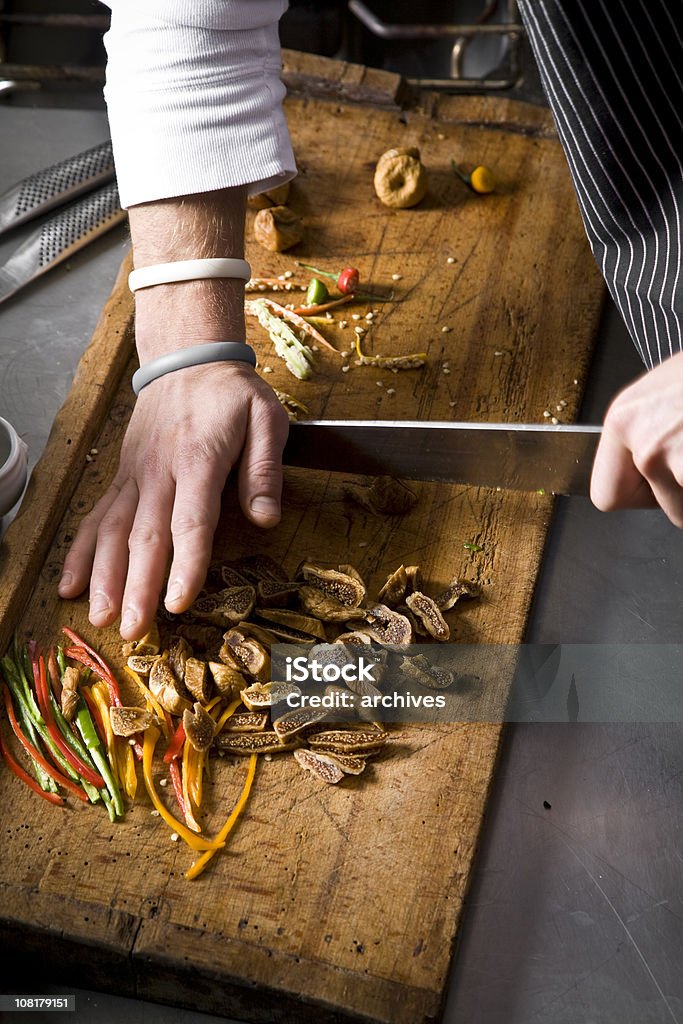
(336, 904)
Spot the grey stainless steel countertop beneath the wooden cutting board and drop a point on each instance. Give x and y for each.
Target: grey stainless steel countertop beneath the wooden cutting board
(576, 914)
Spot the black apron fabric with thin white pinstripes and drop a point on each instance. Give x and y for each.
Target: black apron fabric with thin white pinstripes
(613, 71)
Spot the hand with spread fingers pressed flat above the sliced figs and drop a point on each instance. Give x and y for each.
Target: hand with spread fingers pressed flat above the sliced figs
(187, 433)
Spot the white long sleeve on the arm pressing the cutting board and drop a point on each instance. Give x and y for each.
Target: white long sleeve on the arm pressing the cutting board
(195, 99)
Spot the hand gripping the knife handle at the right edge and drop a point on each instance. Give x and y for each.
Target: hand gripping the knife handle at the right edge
(639, 462)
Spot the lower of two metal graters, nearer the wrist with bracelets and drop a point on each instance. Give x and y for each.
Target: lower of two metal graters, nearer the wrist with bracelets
(61, 237)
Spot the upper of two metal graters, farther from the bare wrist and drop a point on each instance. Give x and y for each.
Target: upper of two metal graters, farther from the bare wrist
(56, 186)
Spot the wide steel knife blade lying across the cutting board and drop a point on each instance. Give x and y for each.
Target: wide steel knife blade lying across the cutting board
(513, 456)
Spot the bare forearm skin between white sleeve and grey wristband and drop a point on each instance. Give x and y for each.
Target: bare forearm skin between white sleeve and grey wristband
(185, 314)
